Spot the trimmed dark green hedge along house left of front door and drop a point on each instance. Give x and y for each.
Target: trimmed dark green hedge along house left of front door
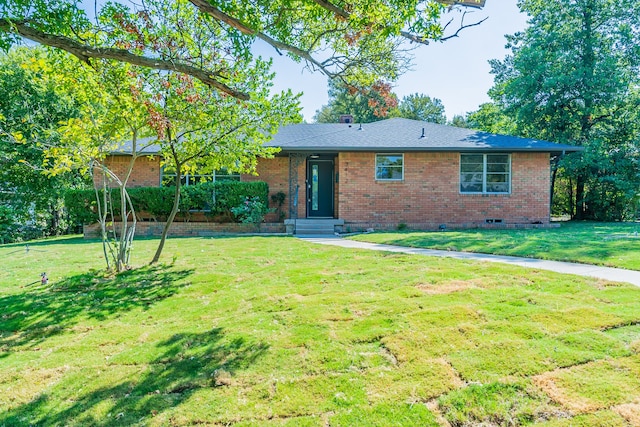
(213, 198)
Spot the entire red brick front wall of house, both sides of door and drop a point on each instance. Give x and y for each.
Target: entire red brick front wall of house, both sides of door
(428, 196)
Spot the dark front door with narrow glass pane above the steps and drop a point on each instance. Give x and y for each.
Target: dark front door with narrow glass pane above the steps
(320, 188)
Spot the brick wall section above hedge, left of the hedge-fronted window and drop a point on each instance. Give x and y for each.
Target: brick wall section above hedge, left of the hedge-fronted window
(146, 171)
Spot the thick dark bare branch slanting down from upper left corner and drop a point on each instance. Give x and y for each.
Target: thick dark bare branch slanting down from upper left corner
(84, 53)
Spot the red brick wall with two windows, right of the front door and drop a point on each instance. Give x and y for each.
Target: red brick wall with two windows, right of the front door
(429, 193)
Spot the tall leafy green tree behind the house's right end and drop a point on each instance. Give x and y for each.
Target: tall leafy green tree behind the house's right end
(572, 77)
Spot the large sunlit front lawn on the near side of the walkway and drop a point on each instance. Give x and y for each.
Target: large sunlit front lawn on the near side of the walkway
(273, 331)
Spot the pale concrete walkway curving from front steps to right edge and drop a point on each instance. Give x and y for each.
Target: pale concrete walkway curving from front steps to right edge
(607, 273)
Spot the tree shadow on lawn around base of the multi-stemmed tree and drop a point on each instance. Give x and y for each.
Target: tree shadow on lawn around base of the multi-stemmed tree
(41, 311)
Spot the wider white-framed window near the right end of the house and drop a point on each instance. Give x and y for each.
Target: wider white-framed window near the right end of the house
(485, 173)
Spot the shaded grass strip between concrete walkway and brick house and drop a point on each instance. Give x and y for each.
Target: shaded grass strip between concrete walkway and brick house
(608, 244)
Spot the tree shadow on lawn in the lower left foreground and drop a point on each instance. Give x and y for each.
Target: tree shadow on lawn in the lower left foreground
(188, 363)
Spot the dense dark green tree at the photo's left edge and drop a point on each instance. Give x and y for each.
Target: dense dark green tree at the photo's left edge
(30, 108)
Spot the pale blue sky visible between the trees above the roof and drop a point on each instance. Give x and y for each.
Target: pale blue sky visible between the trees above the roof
(456, 71)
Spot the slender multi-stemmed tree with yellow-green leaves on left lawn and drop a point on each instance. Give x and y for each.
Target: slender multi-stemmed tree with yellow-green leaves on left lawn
(109, 114)
